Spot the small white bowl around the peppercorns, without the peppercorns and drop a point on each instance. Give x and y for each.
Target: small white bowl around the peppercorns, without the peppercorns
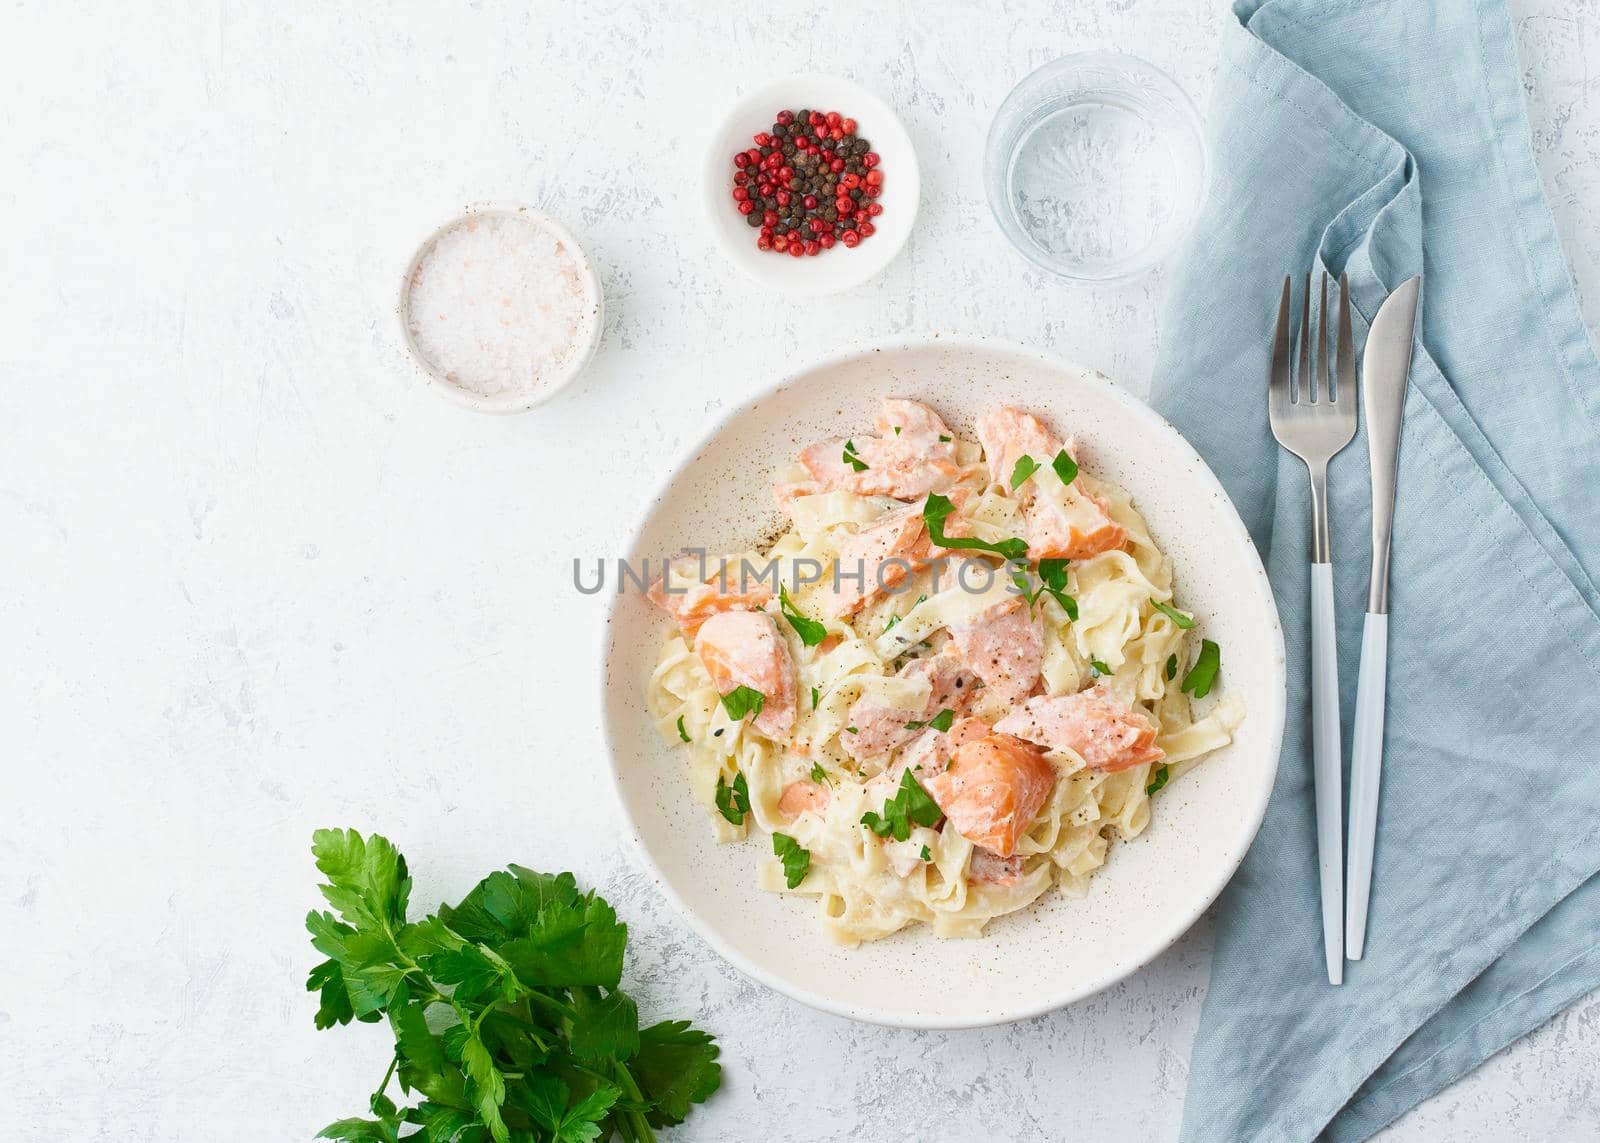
(834, 270)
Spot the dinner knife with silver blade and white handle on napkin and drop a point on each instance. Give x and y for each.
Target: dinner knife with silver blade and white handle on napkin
(1386, 369)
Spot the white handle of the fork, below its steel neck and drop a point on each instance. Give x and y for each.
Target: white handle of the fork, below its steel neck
(1327, 769)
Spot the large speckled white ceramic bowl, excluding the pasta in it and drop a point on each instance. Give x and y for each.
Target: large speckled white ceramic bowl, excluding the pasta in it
(1060, 950)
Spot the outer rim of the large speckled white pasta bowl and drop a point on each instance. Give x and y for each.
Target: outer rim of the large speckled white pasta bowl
(1255, 812)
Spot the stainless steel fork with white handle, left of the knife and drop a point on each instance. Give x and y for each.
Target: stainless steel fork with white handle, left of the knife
(1313, 415)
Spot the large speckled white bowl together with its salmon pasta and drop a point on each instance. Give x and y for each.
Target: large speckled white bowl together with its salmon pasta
(945, 688)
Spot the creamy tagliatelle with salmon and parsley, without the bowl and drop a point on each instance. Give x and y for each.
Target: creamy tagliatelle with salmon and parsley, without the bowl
(908, 731)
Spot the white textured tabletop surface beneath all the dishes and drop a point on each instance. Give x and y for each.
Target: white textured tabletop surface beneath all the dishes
(255, 579)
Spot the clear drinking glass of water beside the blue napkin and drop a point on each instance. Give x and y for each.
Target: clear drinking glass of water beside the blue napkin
(1095, 166)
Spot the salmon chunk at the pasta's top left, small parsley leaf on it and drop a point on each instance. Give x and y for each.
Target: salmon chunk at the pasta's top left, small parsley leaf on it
(905, 465)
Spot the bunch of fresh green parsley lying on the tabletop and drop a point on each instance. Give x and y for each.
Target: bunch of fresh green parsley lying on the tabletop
(508, 1019)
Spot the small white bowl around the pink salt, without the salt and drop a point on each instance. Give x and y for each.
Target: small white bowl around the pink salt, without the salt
(529, 396)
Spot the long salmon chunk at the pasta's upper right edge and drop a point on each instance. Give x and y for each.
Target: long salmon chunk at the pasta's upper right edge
(1063, 521)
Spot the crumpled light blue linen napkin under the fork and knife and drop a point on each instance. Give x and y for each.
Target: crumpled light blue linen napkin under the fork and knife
(1386, 138)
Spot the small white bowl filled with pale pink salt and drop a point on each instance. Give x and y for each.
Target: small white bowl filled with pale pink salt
(545, 287)
